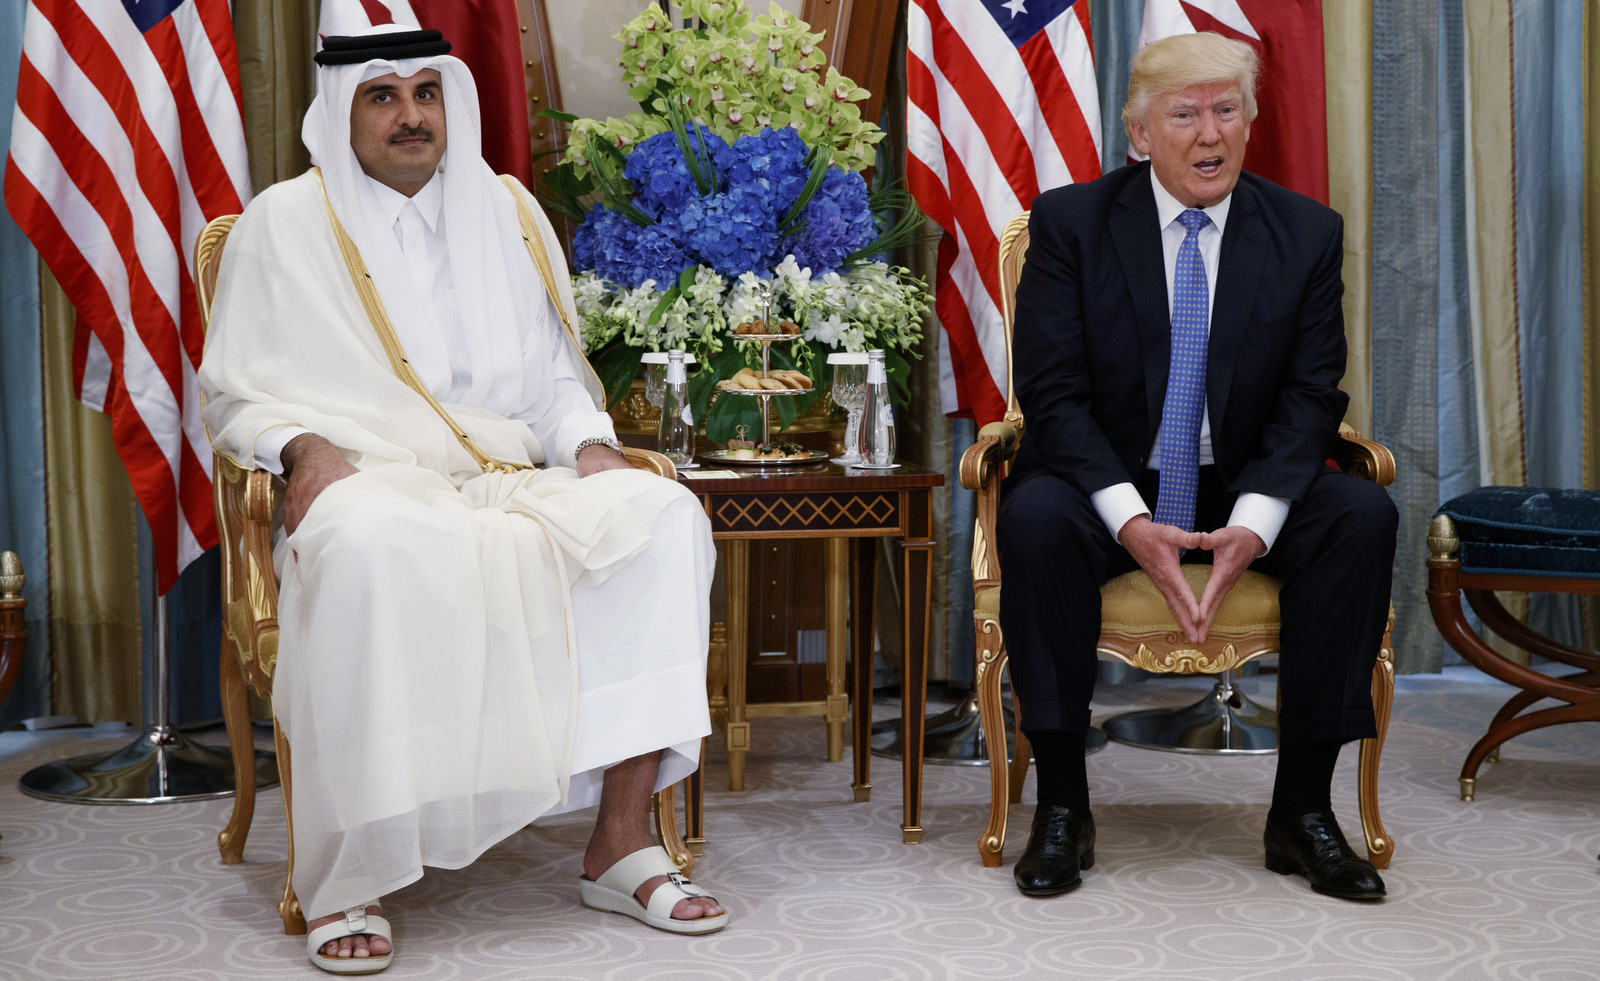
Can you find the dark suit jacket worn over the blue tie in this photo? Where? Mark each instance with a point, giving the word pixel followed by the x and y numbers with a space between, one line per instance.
pixel 1094 337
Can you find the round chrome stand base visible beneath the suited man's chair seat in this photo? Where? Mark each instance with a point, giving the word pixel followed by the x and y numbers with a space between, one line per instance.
pixel 1225 723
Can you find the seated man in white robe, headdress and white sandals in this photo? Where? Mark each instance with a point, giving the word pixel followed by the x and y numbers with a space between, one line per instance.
pixel 466 643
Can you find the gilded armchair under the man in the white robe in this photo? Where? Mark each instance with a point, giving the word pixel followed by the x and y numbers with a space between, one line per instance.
pixel 246 503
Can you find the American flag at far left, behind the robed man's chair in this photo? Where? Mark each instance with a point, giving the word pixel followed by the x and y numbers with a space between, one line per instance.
pixel 129 137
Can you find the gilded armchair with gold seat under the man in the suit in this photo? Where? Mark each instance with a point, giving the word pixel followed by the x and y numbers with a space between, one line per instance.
pixel 1135 625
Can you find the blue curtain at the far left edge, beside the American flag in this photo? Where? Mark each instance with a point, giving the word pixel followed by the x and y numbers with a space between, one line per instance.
pixel 22 418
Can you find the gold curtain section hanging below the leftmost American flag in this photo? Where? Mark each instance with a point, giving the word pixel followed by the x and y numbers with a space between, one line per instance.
pixel 94 540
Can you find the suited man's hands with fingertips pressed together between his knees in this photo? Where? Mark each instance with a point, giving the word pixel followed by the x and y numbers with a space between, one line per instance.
pixel 1156 548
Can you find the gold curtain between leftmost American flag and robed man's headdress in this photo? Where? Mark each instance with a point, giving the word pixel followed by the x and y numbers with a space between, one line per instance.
pixel 276 44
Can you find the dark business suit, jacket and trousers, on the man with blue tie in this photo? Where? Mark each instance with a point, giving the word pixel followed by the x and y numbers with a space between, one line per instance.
pixel 1092 351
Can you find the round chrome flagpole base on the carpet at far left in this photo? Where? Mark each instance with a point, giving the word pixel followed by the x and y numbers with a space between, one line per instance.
pixel 161 767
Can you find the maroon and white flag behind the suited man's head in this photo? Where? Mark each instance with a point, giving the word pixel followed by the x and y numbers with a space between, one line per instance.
pixel 1289 142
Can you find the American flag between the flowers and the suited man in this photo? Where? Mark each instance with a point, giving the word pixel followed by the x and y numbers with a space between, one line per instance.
pixel 1001 105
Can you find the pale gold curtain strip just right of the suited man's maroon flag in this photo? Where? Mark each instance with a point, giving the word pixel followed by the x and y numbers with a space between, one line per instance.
pixel 1348 63
